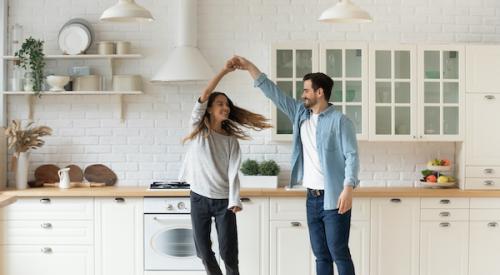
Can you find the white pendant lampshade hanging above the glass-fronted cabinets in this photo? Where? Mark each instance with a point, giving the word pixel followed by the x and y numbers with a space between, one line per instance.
pixel 345 12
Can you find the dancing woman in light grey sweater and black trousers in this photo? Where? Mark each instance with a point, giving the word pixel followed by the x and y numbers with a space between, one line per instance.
pixel 211 168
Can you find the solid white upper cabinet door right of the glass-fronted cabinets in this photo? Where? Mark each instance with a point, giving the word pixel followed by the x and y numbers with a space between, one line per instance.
pixel 483 62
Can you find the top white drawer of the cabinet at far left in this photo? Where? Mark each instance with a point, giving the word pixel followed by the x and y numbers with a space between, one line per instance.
pixel 49 209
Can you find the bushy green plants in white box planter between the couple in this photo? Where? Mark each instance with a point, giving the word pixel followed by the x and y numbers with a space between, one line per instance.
pixel 259 175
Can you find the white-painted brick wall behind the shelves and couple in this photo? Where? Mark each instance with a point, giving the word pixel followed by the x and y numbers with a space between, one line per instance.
pixel 147 146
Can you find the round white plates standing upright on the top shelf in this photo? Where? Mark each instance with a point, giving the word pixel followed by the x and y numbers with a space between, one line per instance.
pixel 76 36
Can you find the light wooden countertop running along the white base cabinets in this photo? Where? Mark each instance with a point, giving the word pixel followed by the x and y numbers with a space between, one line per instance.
pixel 124 191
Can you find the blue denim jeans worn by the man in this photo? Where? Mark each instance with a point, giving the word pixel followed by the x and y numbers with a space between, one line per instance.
pixel 329 235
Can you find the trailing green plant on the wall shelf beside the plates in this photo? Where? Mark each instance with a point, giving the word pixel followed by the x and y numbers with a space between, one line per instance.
pixel 31 59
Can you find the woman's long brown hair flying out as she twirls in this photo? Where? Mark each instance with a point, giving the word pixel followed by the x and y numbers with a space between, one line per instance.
pixel 232 126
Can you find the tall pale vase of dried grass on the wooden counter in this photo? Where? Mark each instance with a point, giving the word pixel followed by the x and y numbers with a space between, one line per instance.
pixel 22 141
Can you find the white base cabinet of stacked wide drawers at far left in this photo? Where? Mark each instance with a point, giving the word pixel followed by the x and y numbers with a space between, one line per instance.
pixel 52 236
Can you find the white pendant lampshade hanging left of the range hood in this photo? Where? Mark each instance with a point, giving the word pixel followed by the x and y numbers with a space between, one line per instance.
pixel 126 11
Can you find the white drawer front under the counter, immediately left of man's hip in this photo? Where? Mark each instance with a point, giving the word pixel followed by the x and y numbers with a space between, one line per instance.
pixel 288 209
